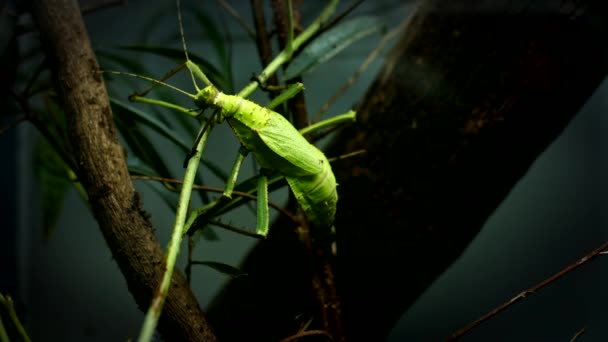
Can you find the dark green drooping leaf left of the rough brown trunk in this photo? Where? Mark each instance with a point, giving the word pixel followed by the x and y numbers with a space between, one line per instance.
pixel 53 180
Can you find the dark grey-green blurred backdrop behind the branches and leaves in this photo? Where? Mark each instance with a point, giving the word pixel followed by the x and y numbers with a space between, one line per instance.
pixel 69 288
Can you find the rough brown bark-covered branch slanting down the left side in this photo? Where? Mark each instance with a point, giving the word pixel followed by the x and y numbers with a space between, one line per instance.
pixel 102 169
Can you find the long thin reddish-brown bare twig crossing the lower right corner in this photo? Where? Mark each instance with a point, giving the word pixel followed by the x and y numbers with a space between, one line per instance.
pixel 460 333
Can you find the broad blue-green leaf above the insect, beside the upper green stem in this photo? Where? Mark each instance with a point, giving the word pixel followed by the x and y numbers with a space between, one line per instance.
pixel 332 42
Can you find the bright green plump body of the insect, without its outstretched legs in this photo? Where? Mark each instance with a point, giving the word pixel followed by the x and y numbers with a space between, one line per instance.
pixel 277 145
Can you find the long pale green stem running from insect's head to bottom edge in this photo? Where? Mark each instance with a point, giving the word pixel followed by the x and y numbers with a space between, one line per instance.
pixel 155 309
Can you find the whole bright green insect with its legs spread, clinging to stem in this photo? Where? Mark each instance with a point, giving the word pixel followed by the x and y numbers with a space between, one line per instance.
pixel 275 144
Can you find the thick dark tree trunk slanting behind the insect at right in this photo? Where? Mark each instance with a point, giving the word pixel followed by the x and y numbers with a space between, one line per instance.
pixel 473 92
